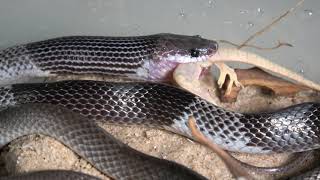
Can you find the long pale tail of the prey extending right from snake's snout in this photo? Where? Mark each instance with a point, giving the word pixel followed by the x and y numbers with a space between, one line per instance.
pixel 236 55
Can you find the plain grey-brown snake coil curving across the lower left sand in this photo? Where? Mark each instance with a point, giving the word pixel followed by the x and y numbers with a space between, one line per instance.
pixel 91 142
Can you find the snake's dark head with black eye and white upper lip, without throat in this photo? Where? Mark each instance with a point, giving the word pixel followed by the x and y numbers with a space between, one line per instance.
pixel 185 49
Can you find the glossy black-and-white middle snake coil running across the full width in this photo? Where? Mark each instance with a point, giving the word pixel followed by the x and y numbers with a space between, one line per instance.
pixel 293 129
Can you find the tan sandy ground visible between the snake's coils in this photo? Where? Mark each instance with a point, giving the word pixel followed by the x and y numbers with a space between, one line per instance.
pixel 38 152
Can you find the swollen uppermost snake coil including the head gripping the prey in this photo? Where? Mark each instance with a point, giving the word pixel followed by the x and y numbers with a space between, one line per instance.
pixel 151 57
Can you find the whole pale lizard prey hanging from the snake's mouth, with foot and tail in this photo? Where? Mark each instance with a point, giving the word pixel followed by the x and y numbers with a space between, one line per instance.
pixel 189 75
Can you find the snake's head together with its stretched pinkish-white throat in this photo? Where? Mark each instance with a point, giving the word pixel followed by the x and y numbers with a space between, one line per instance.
pixel 172 50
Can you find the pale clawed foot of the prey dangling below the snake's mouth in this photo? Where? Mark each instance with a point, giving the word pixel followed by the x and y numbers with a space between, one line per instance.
pixel 224 71
